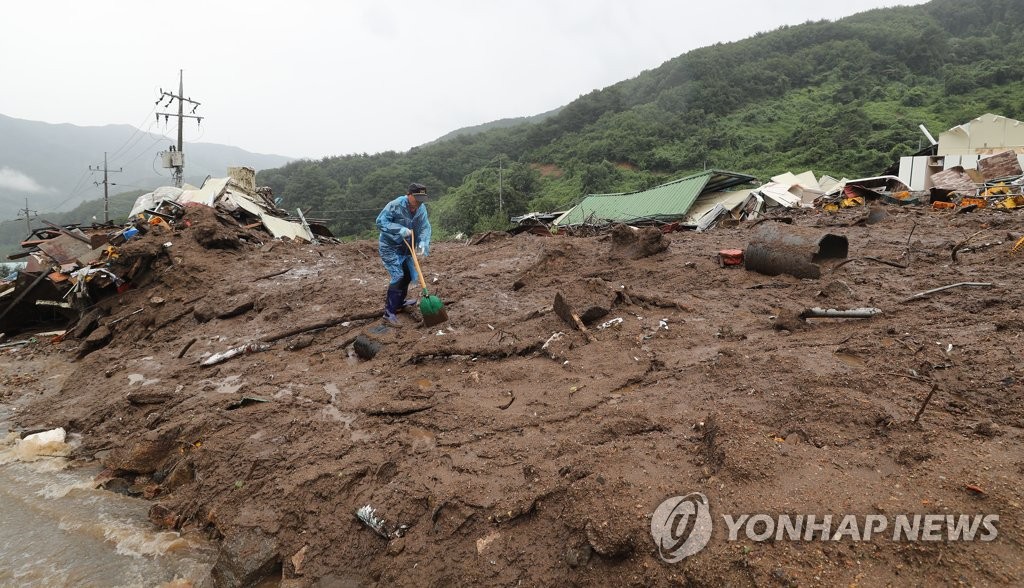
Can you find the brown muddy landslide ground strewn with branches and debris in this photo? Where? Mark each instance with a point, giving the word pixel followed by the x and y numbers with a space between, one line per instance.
pixel 519 464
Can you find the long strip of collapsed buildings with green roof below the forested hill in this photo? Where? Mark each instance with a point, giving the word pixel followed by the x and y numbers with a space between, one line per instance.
pixel 974 164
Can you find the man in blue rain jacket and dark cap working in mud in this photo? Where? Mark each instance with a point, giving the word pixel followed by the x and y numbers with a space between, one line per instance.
pixel 402 220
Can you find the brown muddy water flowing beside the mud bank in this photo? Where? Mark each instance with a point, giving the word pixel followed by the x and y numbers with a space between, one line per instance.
pixel 56 530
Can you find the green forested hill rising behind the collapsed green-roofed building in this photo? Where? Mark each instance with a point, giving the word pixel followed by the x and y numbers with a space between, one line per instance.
pixel 841 98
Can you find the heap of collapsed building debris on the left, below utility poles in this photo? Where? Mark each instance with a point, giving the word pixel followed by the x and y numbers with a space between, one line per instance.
pixel 69 269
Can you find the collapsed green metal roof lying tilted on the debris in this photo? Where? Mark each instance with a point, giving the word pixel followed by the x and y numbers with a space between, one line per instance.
pixel 668 202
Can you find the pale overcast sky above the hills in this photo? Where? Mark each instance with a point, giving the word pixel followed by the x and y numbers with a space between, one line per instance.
pixel 308 78
